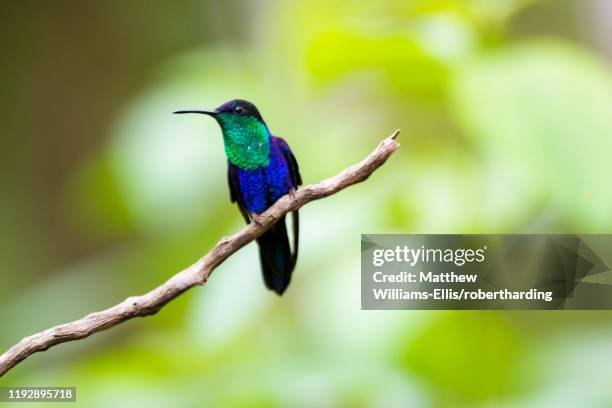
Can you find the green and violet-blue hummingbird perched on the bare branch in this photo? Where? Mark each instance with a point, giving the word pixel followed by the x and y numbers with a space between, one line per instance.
pixel 261 168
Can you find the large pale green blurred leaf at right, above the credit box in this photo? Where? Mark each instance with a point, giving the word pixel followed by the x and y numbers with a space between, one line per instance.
pixel 542 111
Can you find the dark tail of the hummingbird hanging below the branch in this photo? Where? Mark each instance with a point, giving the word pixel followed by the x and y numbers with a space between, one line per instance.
pixel 277 261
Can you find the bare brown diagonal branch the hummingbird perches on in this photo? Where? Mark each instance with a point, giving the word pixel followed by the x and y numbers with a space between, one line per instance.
pixel 198 273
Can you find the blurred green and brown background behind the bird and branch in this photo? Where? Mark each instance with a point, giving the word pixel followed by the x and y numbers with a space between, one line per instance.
pixel 505 108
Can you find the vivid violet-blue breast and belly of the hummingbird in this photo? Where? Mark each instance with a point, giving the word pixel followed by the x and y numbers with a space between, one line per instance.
pixel 261 187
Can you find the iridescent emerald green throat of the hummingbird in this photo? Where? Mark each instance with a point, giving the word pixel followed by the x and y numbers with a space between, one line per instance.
pixel 246 140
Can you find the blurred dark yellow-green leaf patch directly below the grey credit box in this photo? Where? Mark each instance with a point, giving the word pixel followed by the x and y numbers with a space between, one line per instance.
pixel 469 355
